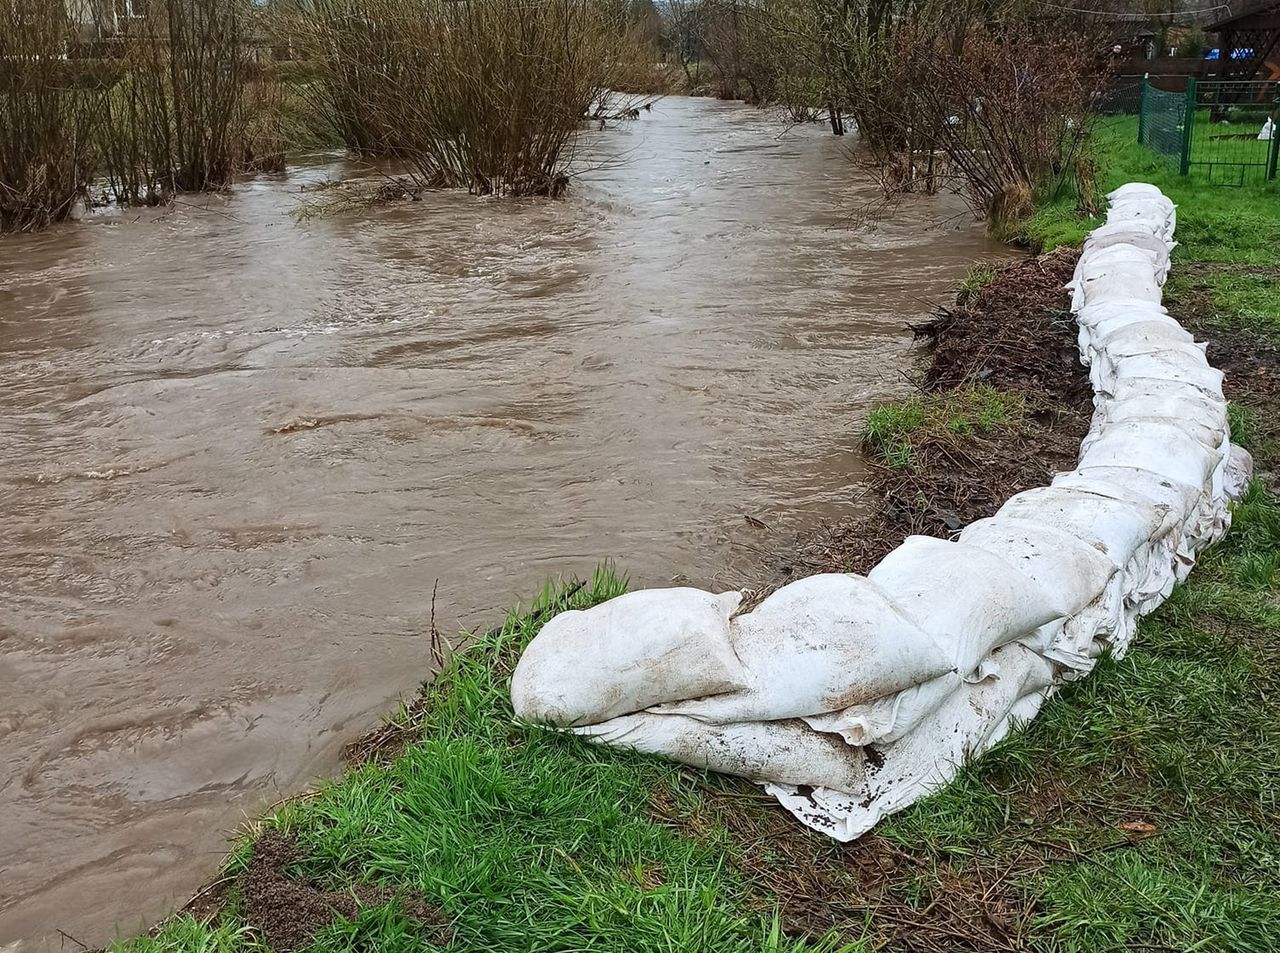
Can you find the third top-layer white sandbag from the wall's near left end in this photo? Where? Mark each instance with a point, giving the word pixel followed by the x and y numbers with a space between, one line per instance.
pixel 968 599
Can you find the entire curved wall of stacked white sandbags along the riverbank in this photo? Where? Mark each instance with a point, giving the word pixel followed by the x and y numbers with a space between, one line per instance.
pixel 849 698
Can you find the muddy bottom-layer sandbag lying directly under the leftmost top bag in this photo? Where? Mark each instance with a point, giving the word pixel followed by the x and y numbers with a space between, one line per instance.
pixel 788 753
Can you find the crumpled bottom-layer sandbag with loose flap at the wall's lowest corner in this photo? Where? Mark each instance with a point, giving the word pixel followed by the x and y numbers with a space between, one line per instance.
pixel 972 720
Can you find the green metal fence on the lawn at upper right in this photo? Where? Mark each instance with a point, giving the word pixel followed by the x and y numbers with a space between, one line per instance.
pixel 1212 132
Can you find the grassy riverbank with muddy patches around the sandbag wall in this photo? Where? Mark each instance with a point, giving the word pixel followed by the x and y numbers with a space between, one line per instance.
pixel 1139 812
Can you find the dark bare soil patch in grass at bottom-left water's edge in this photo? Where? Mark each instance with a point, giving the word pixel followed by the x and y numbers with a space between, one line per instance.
pixel 289 913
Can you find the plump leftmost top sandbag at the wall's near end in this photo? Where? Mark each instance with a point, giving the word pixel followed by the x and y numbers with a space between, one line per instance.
pixel 628 654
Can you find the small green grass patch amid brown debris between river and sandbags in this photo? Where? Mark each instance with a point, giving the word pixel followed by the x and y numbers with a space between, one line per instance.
pixel 894 432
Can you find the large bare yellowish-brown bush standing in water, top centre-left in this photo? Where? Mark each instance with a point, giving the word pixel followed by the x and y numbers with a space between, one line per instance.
pixel 484 95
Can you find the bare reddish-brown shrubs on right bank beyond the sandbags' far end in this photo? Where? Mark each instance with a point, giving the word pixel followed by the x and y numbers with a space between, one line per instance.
pixel 990 97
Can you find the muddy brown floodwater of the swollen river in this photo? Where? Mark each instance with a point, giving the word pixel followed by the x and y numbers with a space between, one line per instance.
pixel 237 452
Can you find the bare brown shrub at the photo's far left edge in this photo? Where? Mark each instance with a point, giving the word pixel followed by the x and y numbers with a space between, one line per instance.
pixel 48 116
